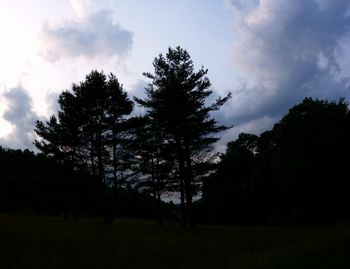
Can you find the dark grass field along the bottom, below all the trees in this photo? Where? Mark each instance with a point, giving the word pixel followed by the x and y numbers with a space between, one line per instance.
pixel 43 242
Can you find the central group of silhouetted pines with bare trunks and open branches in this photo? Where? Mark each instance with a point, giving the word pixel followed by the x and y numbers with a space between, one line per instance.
pixel 169 149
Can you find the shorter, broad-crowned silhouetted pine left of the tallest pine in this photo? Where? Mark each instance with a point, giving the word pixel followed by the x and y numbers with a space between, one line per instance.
pixel 89 132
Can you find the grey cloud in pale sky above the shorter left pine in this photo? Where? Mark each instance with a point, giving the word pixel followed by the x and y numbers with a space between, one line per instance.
pixel 93 34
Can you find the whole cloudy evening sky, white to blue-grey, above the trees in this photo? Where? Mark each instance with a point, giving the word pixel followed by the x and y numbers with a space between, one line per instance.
pixel 269 53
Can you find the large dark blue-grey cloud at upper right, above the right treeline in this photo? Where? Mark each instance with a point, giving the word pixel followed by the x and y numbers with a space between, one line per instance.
pixel 287 50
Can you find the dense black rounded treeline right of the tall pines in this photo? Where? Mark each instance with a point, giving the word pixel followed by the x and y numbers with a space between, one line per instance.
pixel 295 173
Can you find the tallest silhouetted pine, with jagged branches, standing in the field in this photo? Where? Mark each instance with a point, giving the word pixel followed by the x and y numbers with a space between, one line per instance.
pixel 176 104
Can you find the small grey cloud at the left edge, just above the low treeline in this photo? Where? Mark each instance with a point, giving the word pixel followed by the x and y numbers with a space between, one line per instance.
pixel 20 114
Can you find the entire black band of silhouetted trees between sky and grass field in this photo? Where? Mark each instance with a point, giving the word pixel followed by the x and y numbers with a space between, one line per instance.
pixel 98 158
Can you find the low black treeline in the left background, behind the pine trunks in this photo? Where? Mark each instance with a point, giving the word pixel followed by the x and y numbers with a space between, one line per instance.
pixel 34 184
